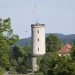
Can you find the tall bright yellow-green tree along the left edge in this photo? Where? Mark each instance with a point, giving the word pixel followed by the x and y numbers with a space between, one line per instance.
pixel 6 35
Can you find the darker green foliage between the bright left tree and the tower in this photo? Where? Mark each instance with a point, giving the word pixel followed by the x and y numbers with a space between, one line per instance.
pixel 20 58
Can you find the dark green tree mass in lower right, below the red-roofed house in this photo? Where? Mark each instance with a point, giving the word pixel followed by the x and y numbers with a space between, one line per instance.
pixel 52 64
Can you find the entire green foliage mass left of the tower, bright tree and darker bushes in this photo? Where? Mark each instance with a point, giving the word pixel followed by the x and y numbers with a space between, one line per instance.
pixel 12 57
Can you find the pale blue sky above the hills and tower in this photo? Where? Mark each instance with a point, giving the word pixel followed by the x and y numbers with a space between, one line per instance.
pixel 57 15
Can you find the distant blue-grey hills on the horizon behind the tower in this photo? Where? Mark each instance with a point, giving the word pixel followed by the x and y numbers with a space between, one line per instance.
pixel 62 37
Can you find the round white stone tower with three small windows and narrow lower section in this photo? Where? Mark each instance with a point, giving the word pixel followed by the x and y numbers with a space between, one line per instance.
pixel 38 43
